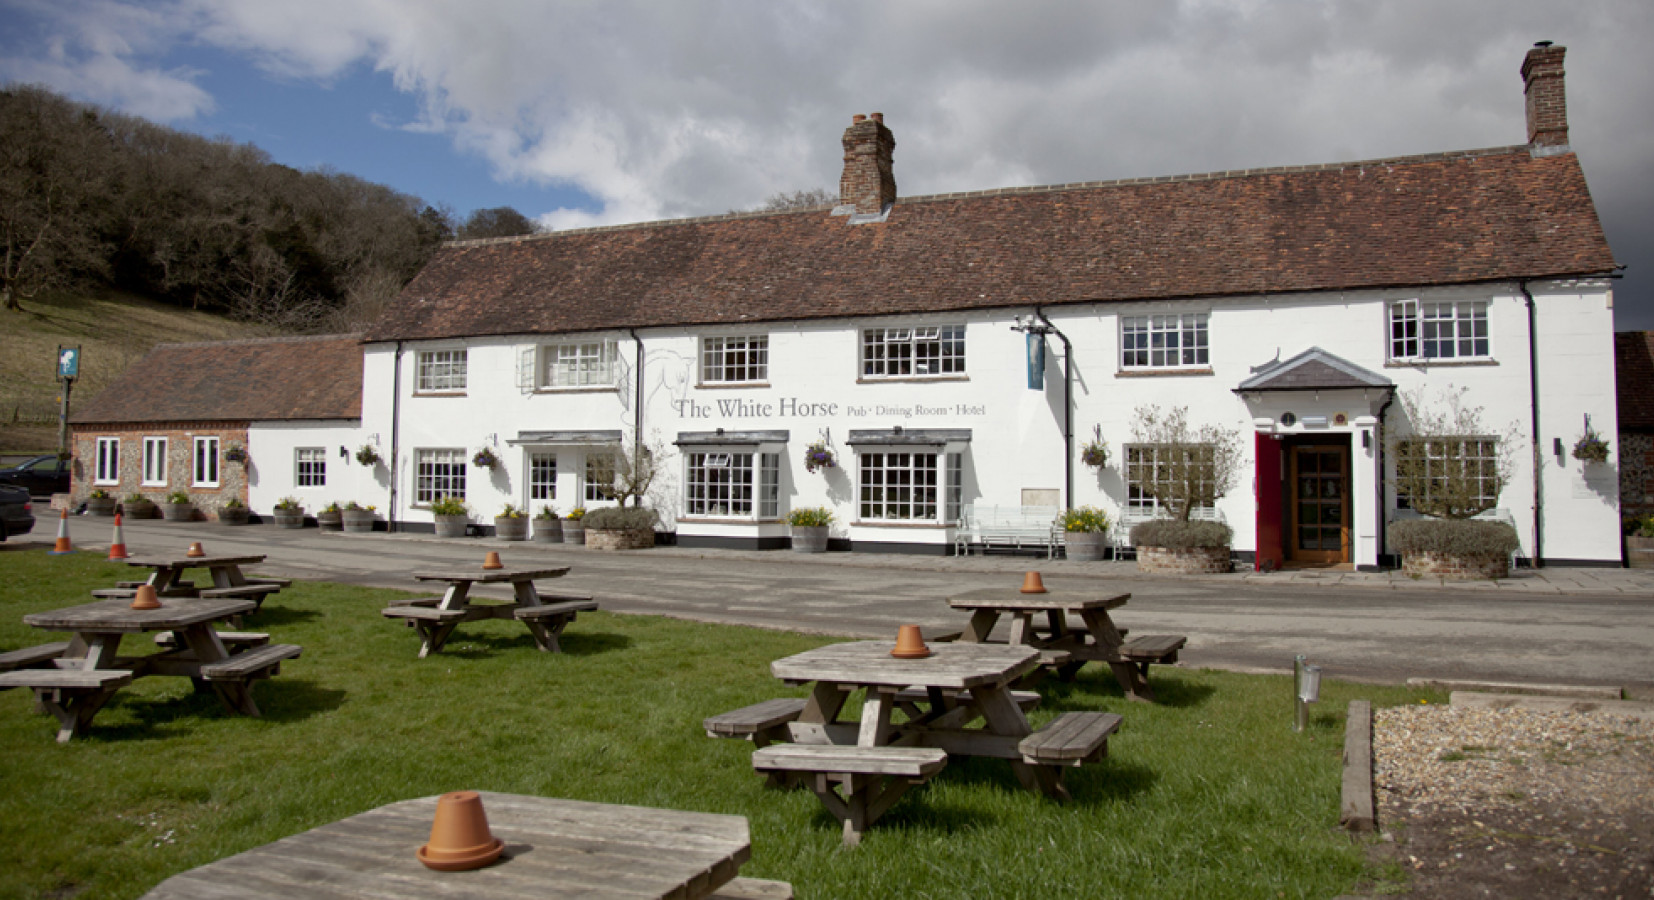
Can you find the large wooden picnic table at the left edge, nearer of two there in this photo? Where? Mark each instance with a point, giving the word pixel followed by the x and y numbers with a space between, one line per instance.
pixel 92 668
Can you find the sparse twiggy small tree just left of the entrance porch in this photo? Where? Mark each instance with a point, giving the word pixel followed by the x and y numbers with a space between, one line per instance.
pixel 1182 466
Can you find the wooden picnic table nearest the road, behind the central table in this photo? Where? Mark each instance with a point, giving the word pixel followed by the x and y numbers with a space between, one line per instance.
pixel 1066 648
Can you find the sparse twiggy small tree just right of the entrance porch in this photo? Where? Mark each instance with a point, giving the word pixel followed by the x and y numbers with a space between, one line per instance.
pixel 1450 464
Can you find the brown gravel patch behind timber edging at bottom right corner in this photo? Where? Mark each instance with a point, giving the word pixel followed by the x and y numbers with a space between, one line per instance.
pixel 1518 803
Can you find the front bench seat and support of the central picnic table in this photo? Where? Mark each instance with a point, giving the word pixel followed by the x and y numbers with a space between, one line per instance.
pixel 871 778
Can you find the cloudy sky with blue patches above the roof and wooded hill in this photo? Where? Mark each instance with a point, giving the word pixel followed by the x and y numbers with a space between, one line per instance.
pixel 605 112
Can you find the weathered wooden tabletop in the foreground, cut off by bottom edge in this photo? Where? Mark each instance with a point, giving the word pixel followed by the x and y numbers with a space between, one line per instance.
pixel 553 848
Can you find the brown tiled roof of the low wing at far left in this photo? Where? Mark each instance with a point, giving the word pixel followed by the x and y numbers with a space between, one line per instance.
pixel 237 381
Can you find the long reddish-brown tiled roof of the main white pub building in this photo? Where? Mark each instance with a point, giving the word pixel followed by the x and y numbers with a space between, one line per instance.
pixel 1443 219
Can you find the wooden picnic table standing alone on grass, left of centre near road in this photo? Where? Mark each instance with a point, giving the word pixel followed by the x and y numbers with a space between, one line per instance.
pixel 439 618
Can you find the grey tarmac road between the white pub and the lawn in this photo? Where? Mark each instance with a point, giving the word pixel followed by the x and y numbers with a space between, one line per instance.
pixel 1594 628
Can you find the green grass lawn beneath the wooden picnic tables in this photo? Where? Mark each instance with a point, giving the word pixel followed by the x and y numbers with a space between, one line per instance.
pixel 1207 795
